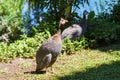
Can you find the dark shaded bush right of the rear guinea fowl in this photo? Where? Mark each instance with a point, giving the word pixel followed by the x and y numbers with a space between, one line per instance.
pixel 102 31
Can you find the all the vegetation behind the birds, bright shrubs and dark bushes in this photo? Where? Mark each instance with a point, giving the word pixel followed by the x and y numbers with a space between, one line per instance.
pixel 22 37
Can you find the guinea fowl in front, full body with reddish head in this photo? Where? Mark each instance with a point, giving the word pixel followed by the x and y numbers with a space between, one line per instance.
pixel 49 50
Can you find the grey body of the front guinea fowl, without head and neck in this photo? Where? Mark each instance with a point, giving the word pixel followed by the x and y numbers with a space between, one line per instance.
pixel 48 49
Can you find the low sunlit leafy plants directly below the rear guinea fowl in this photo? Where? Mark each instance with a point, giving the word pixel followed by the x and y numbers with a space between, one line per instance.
pixel 70 47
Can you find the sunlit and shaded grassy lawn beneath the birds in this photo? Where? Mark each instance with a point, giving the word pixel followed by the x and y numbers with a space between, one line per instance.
pixel 98 64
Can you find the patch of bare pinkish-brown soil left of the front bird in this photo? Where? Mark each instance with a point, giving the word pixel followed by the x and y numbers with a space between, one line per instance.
pixel 16 68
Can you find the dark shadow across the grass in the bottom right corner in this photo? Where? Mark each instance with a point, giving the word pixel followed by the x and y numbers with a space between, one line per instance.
pixel 103 72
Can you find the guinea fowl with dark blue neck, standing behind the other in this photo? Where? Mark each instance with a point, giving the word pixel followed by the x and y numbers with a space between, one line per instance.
pixel 75 31
